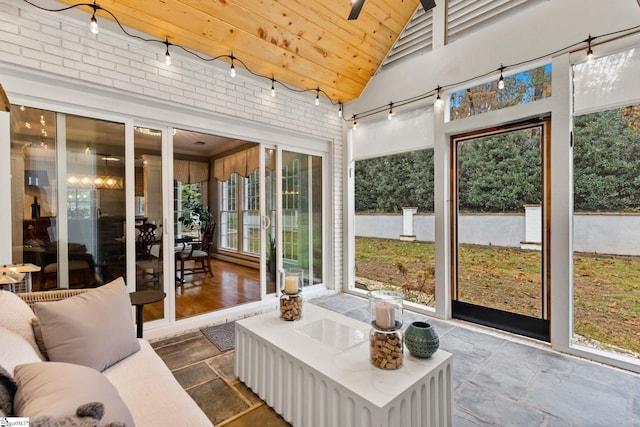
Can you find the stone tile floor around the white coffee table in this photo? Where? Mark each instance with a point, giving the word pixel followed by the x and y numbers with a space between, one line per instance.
pixel 498 380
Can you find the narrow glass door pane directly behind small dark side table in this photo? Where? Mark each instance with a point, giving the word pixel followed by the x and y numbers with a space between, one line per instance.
pixel 149 215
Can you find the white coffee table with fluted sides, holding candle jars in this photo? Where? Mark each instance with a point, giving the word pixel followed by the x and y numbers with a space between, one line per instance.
pixel 316 372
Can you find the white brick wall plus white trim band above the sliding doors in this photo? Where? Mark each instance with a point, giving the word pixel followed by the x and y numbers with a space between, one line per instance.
pixel 51 60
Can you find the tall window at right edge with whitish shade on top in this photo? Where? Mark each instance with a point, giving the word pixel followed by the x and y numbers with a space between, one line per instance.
pixel 606 203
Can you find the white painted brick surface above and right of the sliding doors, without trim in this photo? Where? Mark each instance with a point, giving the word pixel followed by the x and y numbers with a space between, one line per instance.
pixel 61 44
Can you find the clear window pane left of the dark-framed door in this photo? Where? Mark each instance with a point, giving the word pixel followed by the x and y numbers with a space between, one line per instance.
pixel 388 254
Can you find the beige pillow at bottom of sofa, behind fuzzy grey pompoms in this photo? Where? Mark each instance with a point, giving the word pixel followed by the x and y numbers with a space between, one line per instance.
pixel 57 389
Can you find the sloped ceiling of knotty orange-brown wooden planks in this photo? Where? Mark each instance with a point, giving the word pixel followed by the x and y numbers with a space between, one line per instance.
pixel 304 43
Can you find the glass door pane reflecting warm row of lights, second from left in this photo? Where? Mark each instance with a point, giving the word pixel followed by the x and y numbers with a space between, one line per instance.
pixel 96 201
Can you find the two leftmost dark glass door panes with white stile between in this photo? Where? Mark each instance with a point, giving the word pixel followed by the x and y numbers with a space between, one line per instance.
pixel 68 197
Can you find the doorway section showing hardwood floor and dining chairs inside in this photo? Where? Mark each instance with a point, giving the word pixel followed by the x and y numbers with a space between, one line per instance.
pixel 216 182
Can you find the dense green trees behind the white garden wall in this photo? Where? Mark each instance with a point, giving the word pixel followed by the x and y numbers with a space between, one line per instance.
pixel 502 173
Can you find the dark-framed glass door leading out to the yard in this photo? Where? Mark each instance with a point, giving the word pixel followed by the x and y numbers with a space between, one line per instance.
pixel 499 274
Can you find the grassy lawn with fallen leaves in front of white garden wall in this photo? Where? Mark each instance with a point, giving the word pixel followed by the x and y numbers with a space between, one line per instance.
pixel 606 289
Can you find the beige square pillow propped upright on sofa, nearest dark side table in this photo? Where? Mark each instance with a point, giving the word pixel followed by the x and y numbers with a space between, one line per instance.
pixel 94 329
